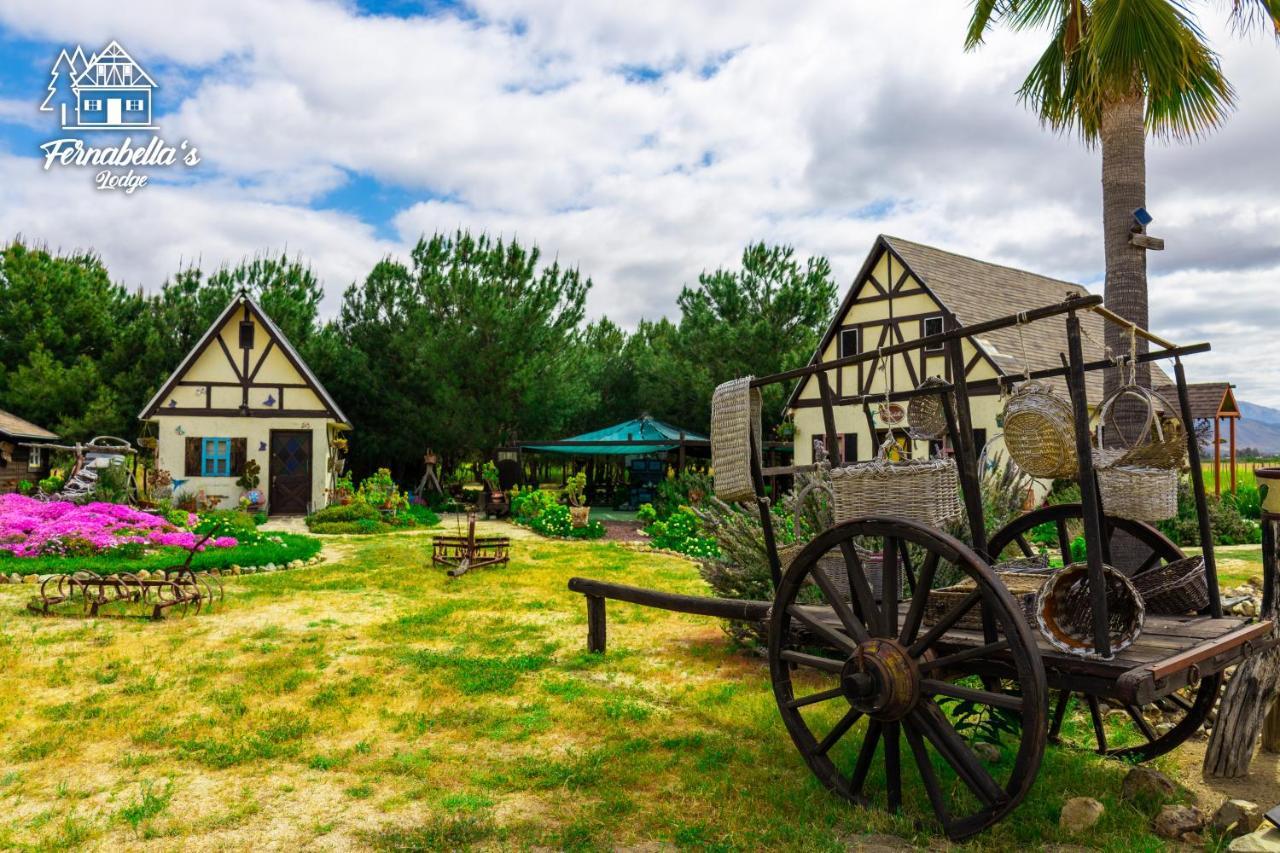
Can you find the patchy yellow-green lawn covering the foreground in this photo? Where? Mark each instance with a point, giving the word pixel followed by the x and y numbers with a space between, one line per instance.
pixel 372 703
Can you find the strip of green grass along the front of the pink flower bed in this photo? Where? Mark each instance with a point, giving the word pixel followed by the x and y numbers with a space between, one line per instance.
pixel 290 548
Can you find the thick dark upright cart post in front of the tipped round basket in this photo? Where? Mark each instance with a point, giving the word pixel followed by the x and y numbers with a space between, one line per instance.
pixel 1094 533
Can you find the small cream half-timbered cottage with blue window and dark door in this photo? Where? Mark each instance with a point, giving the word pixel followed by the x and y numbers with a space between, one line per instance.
pixel 245 395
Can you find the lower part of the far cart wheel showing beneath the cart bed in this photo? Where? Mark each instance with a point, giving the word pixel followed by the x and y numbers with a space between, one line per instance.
pixel 1131 736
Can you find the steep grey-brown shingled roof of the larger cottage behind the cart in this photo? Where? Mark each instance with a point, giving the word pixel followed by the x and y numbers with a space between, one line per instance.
pixel 977 291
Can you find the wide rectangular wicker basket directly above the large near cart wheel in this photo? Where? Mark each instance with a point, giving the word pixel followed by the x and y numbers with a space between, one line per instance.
pixel 924 491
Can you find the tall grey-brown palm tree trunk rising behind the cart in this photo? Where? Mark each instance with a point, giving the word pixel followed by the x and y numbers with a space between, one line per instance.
pixel 1124 190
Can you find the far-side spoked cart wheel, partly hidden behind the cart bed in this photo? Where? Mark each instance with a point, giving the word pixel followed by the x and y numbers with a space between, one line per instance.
pixel 1133 733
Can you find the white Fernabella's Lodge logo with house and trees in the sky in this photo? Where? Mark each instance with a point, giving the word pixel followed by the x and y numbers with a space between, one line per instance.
pixel 108 92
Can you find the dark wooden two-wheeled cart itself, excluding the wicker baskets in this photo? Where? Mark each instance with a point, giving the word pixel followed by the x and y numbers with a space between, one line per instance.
pixel 857 677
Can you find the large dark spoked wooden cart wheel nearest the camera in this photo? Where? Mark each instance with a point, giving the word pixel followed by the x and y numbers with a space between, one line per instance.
pixel 838 658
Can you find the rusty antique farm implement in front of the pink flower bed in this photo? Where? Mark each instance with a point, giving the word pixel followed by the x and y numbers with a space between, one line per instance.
pixel 177 590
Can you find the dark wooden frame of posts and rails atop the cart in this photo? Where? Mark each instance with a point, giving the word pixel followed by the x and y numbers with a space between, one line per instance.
pixel 961 431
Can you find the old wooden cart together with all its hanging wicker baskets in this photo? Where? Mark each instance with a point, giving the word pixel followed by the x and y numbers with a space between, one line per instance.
pixel 886 630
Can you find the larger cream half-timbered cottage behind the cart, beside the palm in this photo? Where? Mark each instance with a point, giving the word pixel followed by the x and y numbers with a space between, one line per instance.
pixel 906 291
